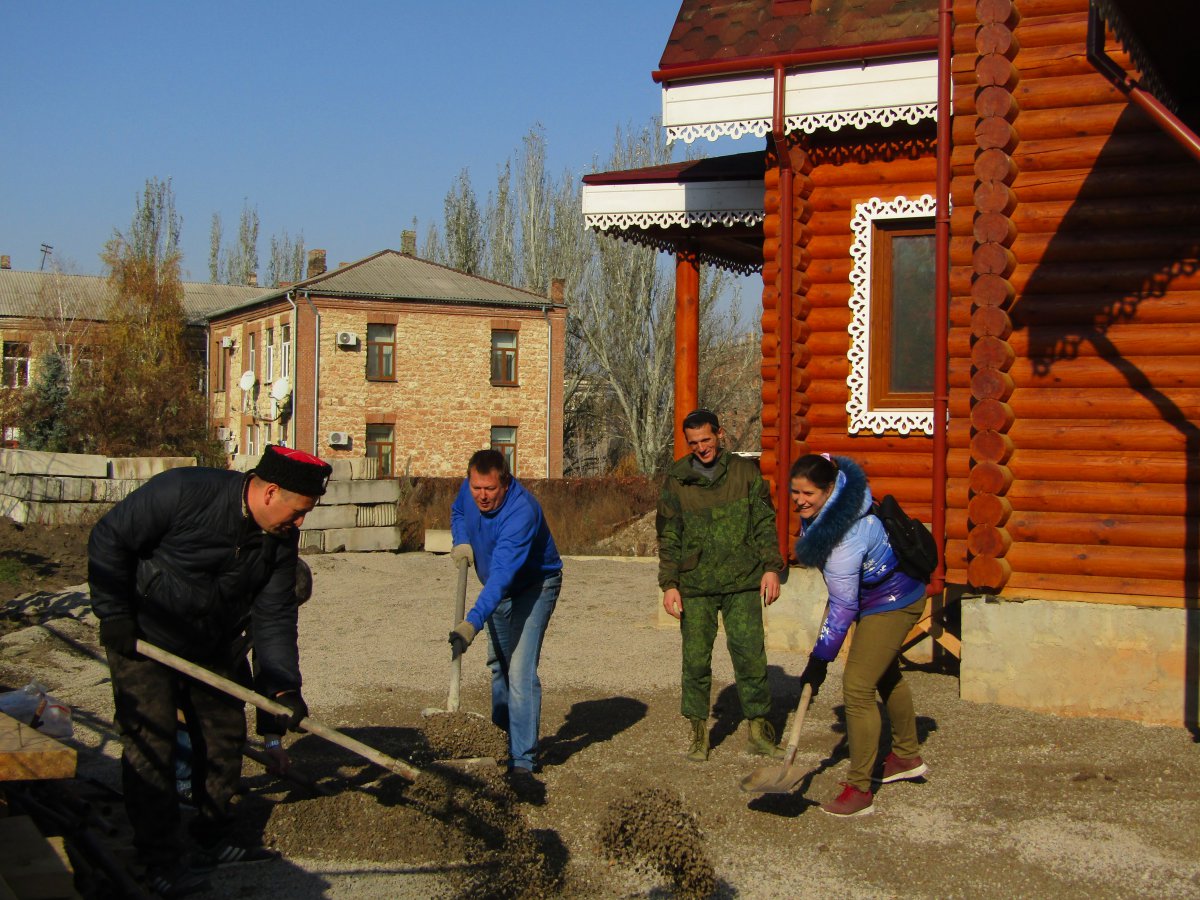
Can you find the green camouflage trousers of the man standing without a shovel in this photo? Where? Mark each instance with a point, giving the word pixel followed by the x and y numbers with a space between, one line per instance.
pixel 742 616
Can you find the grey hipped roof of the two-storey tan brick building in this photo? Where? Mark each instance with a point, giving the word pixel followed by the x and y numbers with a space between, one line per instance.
pixel 391 275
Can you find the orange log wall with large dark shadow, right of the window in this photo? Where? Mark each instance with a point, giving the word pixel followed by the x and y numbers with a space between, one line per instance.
pixel 1075 322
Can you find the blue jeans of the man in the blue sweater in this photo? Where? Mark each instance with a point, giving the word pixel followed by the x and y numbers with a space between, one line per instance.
pixel 515 632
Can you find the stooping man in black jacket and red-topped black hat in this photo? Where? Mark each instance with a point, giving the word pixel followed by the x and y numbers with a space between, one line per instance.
pixel 190 562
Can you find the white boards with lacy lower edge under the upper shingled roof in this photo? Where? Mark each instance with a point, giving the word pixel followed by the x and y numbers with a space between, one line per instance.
pixel 877 93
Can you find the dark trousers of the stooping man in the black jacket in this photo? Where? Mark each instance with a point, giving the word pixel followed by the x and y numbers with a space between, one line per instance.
pixel 148 697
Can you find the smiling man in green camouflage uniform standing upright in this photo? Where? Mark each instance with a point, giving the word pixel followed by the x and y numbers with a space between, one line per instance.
pixel 718 555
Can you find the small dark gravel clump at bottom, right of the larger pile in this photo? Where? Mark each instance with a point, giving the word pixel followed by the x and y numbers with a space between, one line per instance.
pixel 651 830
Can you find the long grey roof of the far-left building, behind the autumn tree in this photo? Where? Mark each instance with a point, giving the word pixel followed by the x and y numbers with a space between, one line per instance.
pixel 52 295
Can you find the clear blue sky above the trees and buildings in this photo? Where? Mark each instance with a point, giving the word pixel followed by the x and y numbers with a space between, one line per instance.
pixel 339 121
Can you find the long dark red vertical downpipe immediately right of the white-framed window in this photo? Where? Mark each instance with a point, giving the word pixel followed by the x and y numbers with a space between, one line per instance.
pixel 943 287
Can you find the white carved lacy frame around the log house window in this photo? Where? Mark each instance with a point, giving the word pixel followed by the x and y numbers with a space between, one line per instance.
pixel 862 417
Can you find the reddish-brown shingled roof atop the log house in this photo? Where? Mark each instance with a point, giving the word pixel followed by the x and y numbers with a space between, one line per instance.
pixel 715 31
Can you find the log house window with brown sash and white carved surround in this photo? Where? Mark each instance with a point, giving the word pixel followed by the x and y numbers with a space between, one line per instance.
pixel 892 328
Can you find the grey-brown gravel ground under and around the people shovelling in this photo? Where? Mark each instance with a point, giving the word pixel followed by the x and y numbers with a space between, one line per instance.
pixel 1016 805
